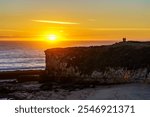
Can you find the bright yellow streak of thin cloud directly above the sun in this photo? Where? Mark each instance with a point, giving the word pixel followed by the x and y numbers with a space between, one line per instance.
pixel 56 22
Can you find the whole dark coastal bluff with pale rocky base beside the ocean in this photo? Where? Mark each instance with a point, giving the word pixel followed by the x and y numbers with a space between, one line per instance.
pixel 117 63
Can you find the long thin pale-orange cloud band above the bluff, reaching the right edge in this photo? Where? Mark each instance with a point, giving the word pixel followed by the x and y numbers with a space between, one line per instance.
pixel 121 29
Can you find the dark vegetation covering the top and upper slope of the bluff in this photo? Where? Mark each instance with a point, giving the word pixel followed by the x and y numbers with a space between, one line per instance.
pixel 129 55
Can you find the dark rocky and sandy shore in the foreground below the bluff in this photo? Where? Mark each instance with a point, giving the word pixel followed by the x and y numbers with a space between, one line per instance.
pixel 28 86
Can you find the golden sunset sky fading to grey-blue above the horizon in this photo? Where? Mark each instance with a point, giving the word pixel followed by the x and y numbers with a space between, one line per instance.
pixel 75 19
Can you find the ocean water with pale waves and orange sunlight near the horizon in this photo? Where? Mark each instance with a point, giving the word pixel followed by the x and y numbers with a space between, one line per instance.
pixel 29 55
